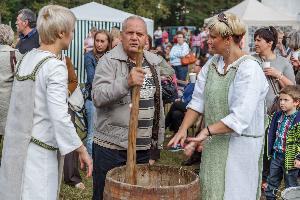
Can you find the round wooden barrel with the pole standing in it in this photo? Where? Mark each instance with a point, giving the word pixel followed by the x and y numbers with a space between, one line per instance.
pixel 157 182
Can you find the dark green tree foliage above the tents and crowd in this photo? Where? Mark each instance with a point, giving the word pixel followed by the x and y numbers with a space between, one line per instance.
pixel 163 12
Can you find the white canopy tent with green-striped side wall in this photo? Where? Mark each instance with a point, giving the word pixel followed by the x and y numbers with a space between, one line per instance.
pixel 101 17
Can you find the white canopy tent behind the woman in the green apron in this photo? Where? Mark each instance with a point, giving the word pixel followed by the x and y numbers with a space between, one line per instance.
pixel 256 15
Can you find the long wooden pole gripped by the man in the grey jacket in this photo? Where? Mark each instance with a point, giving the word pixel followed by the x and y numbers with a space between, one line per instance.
pixel 131 171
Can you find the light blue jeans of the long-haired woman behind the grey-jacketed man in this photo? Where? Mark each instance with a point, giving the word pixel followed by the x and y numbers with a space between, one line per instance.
pixel 90 112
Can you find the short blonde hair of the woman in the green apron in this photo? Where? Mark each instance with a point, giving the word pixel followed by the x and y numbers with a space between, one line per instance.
pixel 232 26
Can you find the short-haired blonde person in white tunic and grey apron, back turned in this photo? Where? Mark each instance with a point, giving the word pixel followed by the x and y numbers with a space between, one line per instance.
pixel 38 123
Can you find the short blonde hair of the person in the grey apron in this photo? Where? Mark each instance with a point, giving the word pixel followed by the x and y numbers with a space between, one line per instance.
pixel 53 20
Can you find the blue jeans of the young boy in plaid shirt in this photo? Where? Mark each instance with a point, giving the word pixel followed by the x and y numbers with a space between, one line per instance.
pixel 277 172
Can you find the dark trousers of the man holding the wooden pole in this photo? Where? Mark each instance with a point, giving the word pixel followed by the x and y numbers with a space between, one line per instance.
pixel 105 159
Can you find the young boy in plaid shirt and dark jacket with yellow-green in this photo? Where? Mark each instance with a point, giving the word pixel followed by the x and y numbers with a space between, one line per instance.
pixel 284 142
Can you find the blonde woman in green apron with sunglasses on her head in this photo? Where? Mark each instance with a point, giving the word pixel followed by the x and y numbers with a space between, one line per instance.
pixel 229 92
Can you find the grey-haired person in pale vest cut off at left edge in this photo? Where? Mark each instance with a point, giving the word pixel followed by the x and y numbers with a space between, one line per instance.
pixel 8 56
